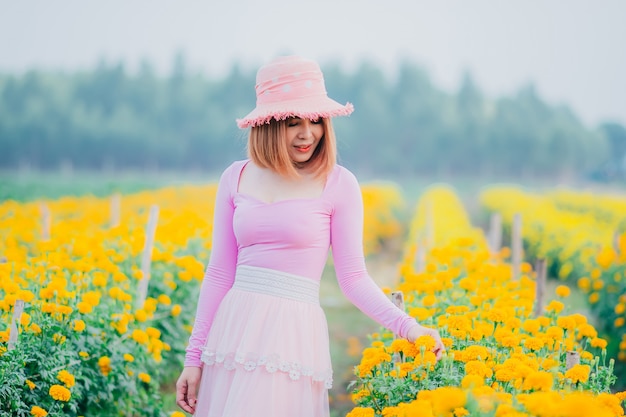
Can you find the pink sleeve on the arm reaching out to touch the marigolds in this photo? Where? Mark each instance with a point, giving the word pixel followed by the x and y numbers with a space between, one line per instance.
pixel 347 249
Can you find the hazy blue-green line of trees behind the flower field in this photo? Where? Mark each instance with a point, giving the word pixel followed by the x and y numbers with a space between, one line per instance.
pixel 108 118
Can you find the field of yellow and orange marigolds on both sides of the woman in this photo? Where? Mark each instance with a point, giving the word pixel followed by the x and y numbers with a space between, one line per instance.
pixel 88 344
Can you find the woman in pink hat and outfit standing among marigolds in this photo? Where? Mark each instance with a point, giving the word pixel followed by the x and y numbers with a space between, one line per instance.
pixel 260 340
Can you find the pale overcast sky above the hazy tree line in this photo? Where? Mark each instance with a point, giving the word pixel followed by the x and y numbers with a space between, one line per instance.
pixel 573 50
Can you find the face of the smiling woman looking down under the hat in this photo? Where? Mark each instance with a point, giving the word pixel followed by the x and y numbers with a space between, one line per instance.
pixel 303 136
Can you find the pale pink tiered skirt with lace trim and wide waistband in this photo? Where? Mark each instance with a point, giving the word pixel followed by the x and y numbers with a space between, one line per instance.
pixel 267 353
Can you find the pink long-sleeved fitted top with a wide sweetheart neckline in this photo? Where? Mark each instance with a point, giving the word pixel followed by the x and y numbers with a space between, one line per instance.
pixel 292 236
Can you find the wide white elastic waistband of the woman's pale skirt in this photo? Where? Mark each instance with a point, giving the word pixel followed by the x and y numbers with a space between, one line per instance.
pixel 277 283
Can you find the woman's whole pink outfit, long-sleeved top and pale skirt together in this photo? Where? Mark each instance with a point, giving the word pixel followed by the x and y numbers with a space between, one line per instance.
pixel 260 334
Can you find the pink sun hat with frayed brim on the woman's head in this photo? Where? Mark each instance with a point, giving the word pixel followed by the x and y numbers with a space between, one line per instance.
pixel 291 86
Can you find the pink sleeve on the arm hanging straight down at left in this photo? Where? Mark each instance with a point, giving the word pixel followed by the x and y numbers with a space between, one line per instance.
pixel 220 271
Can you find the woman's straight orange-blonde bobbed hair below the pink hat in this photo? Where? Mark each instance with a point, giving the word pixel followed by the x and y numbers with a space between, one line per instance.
pixel 268 149
